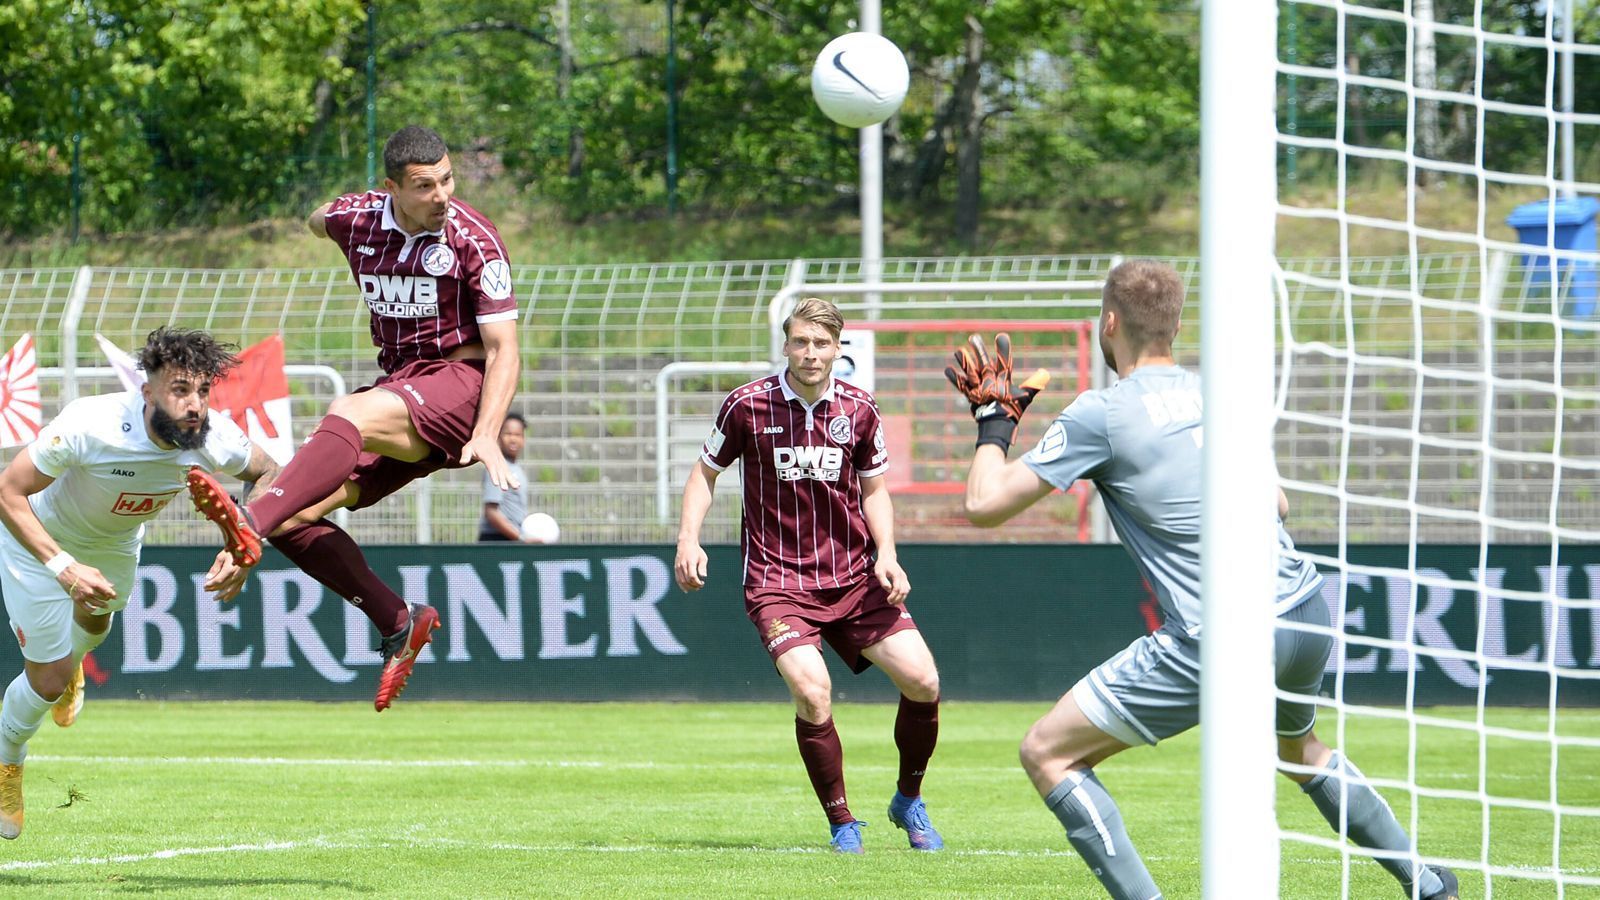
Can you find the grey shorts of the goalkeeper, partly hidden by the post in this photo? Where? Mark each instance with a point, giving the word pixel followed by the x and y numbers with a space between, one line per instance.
pixel 1151 691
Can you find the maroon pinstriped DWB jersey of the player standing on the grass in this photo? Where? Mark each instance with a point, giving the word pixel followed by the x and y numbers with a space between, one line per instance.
pixel 802 468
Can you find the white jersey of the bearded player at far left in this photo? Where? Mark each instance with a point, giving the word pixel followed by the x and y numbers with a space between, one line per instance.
pixel 111 478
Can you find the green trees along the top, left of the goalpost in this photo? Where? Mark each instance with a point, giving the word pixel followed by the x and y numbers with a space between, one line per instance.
pixel 209 111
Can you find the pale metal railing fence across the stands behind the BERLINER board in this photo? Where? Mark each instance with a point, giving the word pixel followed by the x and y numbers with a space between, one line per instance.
pixel 596 339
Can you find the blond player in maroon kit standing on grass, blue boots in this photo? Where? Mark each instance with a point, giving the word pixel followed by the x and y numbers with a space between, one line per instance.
pixel 820 565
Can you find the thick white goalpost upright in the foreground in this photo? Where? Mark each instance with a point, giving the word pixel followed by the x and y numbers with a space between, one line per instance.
pixel 1239 537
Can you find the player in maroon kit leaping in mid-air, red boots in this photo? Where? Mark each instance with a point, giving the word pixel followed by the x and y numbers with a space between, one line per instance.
pixel 436 278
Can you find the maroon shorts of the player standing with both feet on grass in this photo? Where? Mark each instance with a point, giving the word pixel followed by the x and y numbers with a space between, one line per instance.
pixel 849 619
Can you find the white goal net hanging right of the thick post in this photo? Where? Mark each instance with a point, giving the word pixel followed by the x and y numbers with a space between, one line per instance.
pixel 1442 428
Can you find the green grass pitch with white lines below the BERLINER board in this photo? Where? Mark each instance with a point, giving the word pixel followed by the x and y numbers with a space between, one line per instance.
pixel 690 800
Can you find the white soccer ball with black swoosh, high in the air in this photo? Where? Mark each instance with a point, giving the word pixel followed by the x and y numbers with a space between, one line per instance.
pixel 860 79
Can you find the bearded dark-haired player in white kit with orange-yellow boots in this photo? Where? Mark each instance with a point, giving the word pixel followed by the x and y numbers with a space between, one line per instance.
pixel 74 507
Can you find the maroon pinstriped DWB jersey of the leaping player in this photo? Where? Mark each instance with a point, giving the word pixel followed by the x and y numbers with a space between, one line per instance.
pixel 428 292
